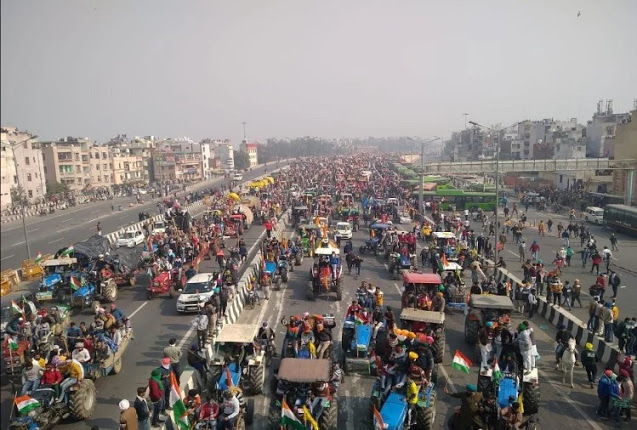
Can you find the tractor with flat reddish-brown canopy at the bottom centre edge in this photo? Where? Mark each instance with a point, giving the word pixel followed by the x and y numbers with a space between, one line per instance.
pixel 293 385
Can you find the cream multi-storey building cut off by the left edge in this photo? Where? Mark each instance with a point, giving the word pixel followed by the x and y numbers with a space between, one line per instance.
pixel 28 155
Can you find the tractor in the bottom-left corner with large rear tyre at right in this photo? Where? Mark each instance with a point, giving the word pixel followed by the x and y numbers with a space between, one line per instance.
pixel 78 404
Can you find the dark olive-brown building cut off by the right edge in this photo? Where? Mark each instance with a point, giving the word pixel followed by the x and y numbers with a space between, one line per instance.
pixel 626 149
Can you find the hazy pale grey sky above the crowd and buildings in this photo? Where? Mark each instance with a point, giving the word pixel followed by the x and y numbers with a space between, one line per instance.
pixel 294 68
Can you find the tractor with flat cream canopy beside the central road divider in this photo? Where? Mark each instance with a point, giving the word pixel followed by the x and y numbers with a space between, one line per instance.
pixel 235 363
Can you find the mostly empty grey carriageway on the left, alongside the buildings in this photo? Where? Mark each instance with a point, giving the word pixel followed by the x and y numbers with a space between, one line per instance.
pixel 65 227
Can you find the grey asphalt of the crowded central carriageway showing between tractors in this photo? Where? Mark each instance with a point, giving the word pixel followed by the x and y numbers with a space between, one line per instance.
pixel 560 405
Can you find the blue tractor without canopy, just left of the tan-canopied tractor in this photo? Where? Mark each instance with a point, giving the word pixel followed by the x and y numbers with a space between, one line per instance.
pixel 357 347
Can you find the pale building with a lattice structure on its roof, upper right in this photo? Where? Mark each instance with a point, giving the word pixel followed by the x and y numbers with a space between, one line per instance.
pixel 600 131
